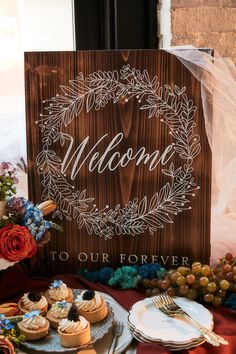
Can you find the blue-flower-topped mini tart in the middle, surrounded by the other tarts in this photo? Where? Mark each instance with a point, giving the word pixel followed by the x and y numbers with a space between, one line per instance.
pixel 58 311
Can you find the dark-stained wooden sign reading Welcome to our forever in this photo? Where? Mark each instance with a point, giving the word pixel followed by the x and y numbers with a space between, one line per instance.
pixel 117 140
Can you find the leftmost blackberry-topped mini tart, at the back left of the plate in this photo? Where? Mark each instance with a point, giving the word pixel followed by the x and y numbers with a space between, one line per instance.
pixel 33 301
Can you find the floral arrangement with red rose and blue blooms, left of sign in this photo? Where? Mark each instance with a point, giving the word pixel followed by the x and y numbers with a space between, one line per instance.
pixel 23 226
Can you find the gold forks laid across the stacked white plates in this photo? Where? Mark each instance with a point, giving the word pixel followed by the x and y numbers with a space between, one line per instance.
pixel 167 305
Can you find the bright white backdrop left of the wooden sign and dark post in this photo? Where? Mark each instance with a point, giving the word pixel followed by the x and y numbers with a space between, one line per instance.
pixel 26 25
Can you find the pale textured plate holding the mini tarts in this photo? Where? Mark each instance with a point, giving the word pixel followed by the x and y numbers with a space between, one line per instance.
pixel 51 344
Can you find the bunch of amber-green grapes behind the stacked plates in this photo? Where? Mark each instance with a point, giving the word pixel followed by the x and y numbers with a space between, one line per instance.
pixel 198 282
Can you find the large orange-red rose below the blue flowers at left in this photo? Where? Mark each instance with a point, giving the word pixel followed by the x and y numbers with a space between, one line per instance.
pixel 16 243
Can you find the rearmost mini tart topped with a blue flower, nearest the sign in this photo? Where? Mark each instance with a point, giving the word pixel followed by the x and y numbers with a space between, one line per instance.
pixel 58 291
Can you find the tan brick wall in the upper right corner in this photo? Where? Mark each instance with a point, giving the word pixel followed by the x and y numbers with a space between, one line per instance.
pixel 205 23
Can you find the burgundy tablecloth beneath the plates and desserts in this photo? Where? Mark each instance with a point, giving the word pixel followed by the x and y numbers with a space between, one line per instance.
pixel 15 281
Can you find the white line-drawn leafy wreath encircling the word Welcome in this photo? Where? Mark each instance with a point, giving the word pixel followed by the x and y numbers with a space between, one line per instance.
pixel 170 104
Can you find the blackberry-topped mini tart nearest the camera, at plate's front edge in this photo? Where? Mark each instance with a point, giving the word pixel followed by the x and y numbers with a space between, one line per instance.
pixel 74 331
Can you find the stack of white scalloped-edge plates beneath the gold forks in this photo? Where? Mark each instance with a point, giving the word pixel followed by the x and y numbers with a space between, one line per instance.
pixel 148 324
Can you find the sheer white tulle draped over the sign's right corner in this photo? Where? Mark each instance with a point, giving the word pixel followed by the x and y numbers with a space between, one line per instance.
pixel 218 90
